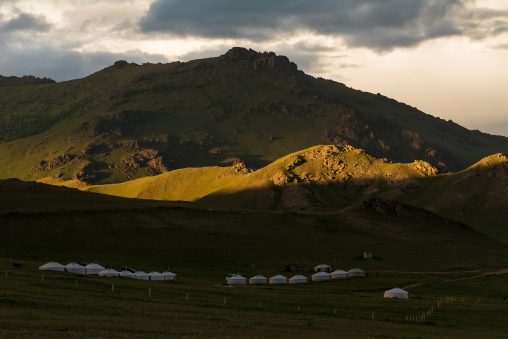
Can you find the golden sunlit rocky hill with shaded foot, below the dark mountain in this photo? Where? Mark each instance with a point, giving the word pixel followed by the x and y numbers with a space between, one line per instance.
pixel 321 176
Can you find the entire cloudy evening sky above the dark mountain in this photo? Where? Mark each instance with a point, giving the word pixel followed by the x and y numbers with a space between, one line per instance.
pixel 449 58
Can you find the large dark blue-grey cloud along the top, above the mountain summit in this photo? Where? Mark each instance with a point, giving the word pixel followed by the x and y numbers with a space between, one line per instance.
pixel 375 24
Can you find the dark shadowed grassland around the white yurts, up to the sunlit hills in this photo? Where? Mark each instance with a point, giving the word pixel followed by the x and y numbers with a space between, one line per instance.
pixel 202 246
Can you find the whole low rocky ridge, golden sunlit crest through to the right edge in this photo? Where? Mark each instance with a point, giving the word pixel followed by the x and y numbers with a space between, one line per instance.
pixel 330 177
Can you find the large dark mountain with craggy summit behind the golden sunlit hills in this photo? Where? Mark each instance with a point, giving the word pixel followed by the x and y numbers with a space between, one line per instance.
pixel 128 121
